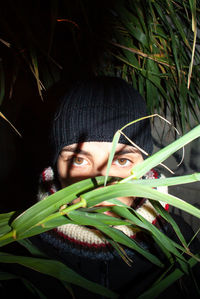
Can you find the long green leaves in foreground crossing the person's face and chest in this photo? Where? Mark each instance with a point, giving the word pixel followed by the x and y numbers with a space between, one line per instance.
pixel 49 213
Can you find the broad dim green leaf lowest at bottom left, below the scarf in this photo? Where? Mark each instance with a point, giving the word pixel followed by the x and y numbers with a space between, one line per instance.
pixel 58 270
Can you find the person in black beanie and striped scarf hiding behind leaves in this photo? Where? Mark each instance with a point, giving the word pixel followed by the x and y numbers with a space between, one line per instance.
pixel 82 131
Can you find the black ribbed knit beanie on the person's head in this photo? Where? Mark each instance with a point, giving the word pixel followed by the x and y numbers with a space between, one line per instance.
pixel 94 109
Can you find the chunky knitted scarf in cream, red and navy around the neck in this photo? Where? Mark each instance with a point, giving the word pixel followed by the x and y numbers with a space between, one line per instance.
pixel 83 240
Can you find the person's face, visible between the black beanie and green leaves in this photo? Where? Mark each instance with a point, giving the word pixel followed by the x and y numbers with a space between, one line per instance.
pixel 89 159
